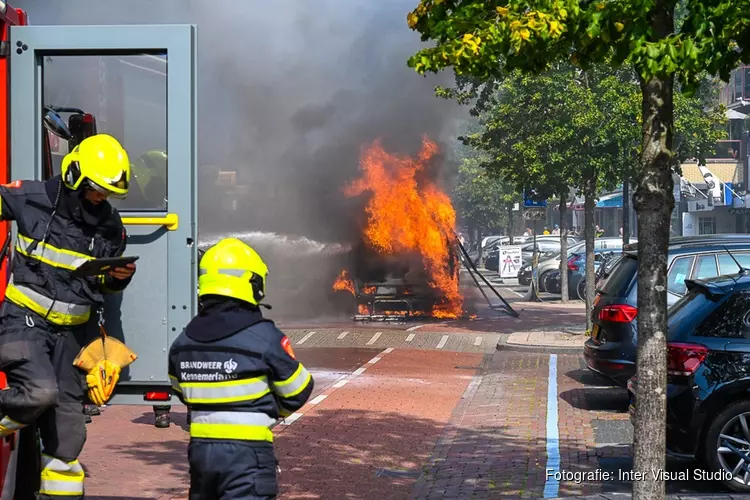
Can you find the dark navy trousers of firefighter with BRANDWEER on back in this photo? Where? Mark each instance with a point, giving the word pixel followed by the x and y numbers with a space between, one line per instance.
pixel 231 470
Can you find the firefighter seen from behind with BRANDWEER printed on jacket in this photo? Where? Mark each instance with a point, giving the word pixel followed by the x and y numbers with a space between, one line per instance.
pixel 237 374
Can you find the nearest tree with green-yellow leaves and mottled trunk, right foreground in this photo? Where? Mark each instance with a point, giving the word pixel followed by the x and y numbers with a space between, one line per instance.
pixel 485 39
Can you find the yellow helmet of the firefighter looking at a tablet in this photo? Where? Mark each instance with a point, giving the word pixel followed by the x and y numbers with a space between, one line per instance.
pixel 99 162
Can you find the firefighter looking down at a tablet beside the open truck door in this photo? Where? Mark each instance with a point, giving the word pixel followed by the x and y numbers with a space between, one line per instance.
pixel 62 222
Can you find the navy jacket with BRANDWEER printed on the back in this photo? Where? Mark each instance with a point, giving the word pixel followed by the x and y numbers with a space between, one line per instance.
pixel 236 372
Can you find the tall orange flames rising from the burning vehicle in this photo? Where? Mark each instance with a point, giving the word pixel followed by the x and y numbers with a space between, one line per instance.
pixel 405 215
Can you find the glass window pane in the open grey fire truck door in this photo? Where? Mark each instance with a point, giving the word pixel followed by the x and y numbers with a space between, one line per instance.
pixel 127 95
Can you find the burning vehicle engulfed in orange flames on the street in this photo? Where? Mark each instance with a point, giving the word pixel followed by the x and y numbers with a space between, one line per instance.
pixel 406 263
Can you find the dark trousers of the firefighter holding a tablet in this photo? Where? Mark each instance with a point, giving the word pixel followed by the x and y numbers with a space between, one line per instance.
pixel 46 390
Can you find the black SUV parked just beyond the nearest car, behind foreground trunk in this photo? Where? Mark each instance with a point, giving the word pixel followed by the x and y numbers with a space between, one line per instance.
pixel 611 350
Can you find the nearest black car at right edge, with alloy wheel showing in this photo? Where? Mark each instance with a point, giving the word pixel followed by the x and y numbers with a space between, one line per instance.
pixel 708 378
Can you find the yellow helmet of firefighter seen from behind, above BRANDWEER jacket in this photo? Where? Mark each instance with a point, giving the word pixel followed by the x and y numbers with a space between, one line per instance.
pixel 233 269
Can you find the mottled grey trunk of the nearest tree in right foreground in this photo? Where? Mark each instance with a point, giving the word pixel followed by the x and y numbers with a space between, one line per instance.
pixel 653 204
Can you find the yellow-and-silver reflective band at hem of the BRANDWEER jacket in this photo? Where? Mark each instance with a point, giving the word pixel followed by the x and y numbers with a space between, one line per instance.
pixel 231 425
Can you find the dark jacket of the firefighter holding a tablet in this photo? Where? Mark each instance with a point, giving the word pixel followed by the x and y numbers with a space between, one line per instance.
pixel 57 232
